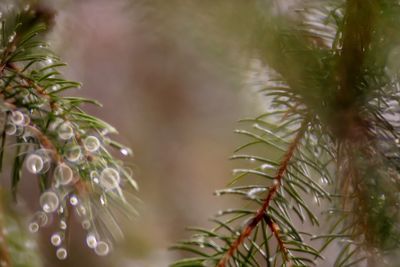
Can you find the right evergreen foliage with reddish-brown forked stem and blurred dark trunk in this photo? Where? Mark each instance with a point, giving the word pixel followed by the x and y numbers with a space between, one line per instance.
pixel 332 124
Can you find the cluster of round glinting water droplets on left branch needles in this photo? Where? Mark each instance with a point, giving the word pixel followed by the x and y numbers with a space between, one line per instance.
pixel 65 174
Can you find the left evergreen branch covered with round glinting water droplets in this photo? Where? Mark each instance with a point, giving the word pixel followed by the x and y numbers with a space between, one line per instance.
pixel 48 134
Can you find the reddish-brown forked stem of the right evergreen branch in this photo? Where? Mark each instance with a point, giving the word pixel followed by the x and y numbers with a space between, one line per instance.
pixel 260 214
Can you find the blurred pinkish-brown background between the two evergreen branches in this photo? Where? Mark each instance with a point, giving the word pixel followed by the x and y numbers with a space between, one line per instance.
pixel 172 85
